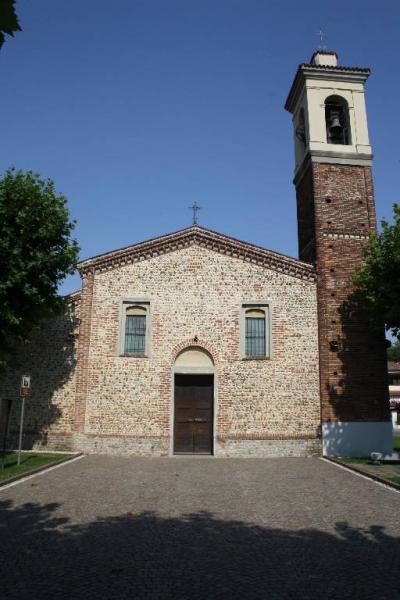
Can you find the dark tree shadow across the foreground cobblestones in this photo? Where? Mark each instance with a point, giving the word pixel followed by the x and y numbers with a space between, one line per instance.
pixel 196 556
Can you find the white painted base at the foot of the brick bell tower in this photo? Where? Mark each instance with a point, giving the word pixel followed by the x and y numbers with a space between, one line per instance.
pixel 354 438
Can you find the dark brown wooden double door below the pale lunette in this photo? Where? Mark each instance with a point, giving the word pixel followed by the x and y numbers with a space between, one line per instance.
pixel 193 418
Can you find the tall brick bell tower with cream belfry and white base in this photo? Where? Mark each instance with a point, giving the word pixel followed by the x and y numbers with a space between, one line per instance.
pixel 336 213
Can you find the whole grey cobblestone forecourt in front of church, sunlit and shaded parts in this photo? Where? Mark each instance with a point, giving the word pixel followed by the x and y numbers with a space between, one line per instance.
pixel 119 528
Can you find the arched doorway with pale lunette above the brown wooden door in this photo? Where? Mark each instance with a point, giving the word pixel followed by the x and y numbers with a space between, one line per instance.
pixel 193 402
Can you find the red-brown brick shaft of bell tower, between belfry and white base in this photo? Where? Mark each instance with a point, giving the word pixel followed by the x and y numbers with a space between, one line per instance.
pixel 338 200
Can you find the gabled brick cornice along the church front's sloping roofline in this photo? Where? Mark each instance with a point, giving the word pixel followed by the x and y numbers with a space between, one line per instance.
pixel 200 236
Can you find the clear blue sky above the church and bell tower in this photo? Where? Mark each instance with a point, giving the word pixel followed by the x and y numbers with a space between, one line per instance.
pixel 138 108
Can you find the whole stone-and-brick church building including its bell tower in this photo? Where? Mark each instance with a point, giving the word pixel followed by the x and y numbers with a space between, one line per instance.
pixel 197 343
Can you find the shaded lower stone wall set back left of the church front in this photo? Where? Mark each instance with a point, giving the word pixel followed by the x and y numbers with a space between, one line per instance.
pixel 50 360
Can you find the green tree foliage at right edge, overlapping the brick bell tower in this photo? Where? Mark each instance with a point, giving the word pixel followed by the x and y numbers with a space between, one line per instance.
pixel 379 280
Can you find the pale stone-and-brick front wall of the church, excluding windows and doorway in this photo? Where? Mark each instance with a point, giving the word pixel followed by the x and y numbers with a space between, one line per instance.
pixel 262 407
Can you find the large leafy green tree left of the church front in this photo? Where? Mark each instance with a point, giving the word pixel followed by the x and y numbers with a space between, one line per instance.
pixel 36 253
